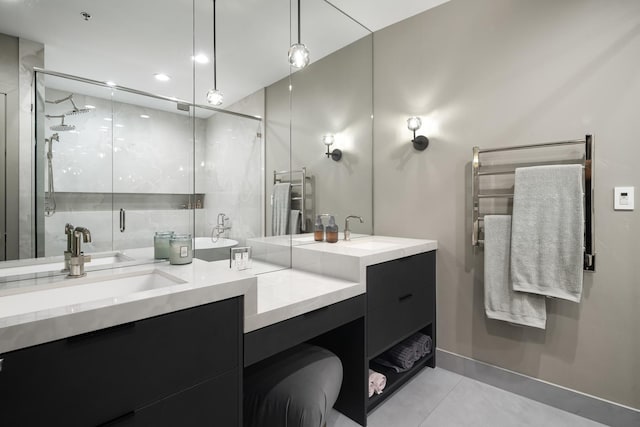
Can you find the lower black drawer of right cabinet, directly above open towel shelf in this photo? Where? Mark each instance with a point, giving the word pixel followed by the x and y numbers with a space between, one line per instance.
pixel 389 324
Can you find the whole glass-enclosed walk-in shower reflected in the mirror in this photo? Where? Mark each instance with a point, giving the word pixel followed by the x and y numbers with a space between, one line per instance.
pixel 126 164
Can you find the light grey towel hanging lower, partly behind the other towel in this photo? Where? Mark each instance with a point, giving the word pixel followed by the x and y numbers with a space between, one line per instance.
pixel 500 301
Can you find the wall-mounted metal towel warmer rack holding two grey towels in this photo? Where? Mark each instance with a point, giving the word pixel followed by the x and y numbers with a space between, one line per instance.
pixel 587 162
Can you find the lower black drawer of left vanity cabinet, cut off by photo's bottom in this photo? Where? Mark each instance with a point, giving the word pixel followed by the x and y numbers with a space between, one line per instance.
pixel 215 402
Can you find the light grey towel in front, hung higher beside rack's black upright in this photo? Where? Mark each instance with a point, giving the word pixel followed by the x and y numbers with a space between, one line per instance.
pixel 548 231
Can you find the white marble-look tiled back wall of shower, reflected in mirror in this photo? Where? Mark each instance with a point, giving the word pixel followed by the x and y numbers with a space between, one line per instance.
pixel 115 150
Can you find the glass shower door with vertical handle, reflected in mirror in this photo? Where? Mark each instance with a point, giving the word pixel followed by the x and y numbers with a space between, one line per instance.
pixel 153 180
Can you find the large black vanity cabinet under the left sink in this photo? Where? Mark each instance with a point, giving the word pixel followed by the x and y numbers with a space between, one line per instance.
pixel 182 368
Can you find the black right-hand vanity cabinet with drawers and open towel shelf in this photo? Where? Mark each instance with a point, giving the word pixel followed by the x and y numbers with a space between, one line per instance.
pixel 401 300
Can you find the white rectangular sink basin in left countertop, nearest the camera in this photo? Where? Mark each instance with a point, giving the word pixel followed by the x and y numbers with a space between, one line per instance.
pixel 77 291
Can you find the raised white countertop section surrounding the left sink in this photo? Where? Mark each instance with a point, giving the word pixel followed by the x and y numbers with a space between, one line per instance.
pixel 203 283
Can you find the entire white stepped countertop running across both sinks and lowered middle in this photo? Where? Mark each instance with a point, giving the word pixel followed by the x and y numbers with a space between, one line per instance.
pixel 322 274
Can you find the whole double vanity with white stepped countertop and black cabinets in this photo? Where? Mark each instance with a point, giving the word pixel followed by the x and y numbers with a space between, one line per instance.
pixel 159 344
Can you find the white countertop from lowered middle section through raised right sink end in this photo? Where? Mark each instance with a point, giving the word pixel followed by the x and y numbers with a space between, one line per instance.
pixel 324 274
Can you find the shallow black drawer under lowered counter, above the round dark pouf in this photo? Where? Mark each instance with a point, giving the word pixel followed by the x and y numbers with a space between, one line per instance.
pixel 265 342
